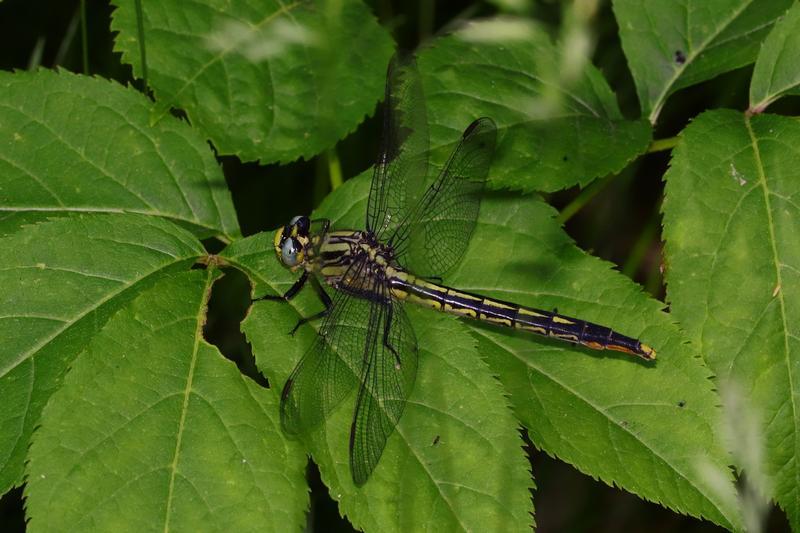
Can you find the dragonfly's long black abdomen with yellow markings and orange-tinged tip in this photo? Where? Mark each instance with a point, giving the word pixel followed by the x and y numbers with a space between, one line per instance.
pixel 507 314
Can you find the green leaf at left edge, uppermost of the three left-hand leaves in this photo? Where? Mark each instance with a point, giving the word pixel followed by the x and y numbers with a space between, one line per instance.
pixel 80 144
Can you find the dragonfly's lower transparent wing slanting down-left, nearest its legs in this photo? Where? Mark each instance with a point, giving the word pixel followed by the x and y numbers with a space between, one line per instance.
pixel 331 367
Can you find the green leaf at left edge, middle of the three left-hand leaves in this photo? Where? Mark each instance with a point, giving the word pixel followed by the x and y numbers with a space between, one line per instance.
pixel 62 279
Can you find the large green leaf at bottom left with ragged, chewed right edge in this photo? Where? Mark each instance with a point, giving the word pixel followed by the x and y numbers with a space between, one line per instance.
pixel 154 429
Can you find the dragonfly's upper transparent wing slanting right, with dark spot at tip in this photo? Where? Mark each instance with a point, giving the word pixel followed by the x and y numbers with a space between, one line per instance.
pixel 437 230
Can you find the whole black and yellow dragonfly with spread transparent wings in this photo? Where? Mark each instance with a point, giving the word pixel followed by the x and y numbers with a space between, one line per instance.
pixel 413 235
